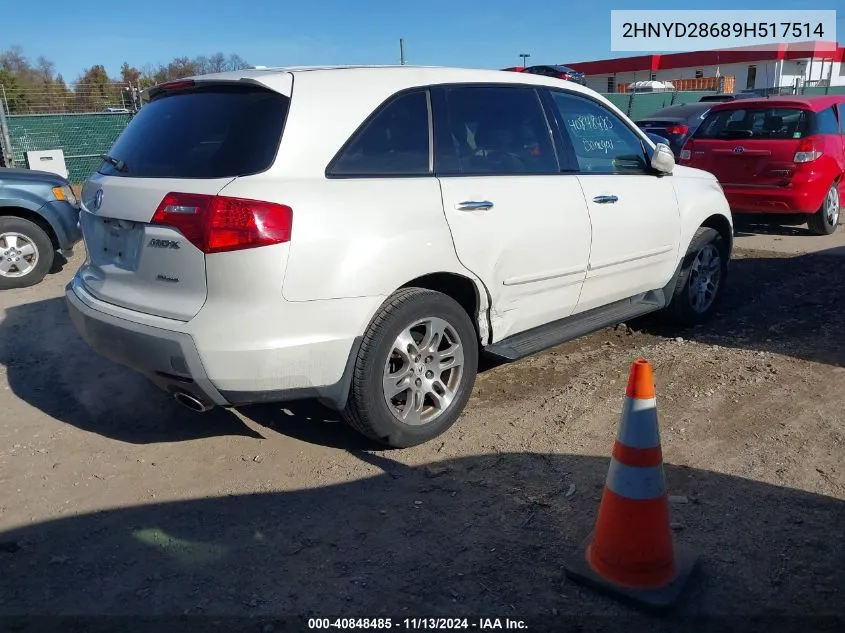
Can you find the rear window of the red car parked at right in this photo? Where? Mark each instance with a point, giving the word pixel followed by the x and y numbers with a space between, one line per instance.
pixel 756 123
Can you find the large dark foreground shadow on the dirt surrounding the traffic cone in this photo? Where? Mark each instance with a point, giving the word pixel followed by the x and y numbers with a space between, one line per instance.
pixel 482 536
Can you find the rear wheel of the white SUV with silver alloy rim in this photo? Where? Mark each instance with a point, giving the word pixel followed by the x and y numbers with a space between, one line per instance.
pixel 415 369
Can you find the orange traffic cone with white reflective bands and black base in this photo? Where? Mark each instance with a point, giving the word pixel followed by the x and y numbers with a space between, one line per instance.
pixel 631 553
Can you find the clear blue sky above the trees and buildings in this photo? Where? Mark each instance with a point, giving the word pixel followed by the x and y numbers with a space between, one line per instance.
pixel 488 34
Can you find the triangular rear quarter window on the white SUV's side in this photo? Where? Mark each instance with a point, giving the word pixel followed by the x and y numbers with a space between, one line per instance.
pixel 395 142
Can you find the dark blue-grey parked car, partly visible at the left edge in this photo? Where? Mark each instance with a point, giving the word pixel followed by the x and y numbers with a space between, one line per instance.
pixel 39 215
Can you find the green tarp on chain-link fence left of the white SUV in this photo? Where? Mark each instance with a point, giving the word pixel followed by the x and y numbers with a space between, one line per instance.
pixel 82 138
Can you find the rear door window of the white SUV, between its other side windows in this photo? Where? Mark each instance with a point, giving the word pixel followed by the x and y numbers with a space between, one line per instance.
pixel 495 130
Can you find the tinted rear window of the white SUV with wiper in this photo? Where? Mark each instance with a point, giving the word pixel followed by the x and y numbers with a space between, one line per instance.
pixel 210 132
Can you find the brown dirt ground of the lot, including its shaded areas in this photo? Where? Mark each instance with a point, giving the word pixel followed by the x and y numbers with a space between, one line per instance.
pixel 115 502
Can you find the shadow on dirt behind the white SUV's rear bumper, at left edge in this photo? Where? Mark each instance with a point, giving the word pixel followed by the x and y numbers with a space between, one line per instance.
pixel 50 367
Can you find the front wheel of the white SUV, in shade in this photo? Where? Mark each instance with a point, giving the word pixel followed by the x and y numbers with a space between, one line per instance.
pixel 701 280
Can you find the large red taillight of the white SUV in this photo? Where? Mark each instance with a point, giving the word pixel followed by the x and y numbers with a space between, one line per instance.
pixel 215 224
